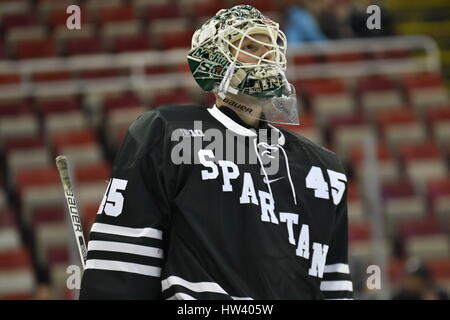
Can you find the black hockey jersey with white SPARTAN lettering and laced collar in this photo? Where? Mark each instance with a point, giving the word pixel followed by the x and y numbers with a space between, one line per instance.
pixel 187 216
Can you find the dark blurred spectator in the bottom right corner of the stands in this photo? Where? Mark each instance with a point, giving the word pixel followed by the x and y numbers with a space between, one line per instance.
pixel 418 284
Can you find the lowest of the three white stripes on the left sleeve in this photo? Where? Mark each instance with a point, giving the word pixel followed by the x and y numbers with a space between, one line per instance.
pixel 112 265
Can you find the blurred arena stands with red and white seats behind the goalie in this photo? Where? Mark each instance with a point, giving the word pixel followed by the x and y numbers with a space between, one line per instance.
pixel 378 98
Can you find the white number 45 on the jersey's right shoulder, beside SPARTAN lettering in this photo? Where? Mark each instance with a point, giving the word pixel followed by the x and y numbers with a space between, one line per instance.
pixel 316 181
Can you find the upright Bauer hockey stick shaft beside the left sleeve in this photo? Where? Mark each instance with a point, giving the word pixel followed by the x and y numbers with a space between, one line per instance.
pixel 63 168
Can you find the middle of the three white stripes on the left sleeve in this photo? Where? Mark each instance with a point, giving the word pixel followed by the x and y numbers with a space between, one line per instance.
pixel 125 248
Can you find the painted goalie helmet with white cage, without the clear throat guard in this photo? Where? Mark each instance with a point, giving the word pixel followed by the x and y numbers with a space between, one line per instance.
pixel 217 46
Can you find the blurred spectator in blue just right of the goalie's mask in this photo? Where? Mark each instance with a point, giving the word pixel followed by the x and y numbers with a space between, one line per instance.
pixel 301 24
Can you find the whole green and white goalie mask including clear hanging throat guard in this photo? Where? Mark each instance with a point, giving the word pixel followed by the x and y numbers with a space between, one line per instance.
pixel 213 61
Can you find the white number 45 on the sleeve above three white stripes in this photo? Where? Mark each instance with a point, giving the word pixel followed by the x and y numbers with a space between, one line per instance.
pixel 112 202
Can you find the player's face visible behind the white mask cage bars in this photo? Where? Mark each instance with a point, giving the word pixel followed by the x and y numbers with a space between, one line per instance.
pixel 252 47
